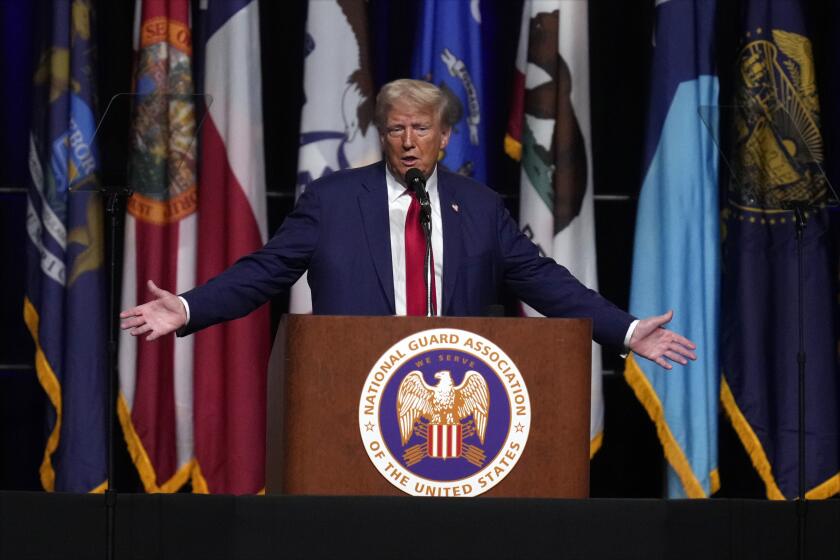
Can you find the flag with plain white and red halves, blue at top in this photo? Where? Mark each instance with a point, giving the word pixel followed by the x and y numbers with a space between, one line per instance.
pixel 231 358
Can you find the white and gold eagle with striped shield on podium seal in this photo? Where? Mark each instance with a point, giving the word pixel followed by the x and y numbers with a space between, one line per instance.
pixel 444 415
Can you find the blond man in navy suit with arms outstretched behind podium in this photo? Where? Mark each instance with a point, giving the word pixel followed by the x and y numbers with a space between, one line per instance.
pixel 349 232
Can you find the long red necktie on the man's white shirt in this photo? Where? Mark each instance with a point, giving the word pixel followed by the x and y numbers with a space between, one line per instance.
pixel 415 253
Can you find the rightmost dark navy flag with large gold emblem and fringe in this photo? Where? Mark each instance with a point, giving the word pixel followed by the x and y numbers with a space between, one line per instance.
pixel 777 154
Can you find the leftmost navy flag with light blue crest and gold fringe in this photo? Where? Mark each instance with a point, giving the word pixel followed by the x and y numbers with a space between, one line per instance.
pixel 64 306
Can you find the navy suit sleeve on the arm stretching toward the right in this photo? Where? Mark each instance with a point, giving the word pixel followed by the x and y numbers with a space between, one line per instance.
pixel 551 289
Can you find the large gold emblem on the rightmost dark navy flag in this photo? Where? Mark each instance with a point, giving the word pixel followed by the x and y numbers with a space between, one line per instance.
pixel 776 128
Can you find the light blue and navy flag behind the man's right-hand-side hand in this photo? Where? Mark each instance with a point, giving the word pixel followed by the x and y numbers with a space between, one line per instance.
pixel 675 257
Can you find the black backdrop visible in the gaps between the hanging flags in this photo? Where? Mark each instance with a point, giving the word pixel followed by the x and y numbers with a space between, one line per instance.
pixel 630 461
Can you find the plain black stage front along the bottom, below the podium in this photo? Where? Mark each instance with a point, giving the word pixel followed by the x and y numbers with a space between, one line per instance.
pixel 182 526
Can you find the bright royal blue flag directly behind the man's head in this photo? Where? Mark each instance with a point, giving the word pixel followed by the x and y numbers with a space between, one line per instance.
pixel 449 54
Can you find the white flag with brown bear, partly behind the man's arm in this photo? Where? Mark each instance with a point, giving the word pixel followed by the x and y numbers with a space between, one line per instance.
pixel 549 132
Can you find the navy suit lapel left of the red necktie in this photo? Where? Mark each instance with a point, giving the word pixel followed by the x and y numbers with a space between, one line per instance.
pixel 373 204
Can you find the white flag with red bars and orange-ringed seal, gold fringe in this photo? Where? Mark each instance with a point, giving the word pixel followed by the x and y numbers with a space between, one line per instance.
pixel 156 378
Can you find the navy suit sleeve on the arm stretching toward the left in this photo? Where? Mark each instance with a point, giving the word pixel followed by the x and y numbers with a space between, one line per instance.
pixel 256 278
